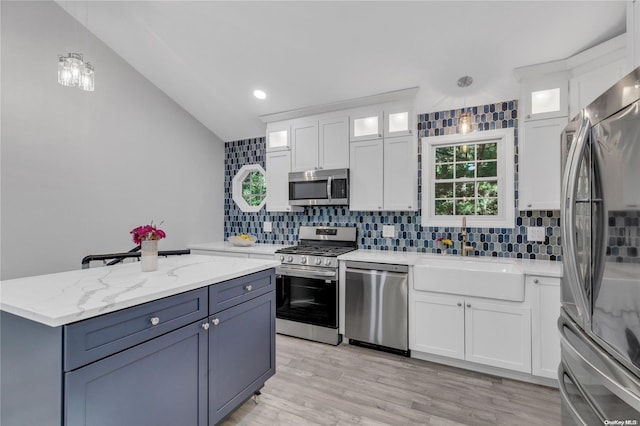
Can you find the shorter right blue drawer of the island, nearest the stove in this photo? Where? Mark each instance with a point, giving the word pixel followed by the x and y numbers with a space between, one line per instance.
pixel 238 290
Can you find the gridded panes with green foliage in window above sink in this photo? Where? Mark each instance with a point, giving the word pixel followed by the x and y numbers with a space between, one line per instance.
pixel 466 180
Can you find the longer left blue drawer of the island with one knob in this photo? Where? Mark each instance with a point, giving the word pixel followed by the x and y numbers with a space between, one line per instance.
pixel 96 338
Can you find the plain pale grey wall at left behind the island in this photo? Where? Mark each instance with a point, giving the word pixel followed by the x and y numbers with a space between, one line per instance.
pixel 79 170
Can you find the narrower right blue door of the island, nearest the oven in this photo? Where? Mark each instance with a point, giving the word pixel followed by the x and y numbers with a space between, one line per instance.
pixel 241 353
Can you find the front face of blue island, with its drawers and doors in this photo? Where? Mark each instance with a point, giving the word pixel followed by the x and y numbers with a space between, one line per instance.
pixel 193 374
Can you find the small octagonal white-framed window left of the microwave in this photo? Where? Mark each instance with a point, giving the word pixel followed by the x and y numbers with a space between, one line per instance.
pixel 249 188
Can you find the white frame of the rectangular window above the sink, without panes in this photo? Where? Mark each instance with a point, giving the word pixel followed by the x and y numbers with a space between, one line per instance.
pixel 506 186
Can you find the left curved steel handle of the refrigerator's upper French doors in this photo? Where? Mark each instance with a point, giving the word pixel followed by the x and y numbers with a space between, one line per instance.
pixel 569 184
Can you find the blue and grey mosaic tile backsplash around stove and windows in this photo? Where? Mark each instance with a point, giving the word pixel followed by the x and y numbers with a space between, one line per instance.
pixel 410 235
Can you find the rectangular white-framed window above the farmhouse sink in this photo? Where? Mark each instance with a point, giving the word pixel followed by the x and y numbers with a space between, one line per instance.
pixel 468 175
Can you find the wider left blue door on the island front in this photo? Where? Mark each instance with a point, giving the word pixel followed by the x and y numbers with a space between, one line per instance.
pixel 161 382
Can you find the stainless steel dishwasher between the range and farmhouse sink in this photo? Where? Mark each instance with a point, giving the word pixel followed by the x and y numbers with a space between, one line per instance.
pixel 376 306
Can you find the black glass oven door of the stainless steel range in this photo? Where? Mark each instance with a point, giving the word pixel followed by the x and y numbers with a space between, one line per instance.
pixel 307 296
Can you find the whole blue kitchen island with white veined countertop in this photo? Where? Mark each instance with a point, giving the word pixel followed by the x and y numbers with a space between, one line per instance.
pixel 185 344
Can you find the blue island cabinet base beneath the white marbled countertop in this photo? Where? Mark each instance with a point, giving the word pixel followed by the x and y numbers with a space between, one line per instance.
pixel 188 360
